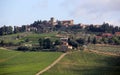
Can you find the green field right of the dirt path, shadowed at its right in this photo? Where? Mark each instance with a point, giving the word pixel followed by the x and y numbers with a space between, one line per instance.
pixel 86 63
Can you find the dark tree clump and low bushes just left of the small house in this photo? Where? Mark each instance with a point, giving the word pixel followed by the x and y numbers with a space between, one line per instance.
pixel 45 44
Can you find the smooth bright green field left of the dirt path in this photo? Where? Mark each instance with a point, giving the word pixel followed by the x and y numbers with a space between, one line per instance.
pixel 25 63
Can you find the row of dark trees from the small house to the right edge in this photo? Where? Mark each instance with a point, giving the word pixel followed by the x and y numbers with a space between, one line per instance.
pixel 76 43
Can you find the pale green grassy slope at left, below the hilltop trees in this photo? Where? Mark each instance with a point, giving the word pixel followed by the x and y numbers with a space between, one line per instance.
pixel 33 37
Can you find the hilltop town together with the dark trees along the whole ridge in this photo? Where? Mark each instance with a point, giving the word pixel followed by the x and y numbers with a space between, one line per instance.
pixel 55 25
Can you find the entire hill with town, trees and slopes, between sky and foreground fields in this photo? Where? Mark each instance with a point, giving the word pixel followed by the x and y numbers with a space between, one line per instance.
pixel 67 34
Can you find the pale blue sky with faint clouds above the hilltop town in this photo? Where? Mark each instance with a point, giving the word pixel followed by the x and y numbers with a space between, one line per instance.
pixel 20 12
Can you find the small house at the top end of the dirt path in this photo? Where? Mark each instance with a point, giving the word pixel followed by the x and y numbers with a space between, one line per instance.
pixel 64 47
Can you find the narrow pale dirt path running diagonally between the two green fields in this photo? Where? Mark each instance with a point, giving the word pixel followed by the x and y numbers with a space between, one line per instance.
pixel 51 65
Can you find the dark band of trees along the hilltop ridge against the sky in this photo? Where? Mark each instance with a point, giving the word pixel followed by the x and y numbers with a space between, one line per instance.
pixel 45 26
